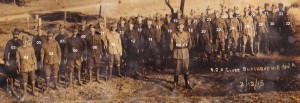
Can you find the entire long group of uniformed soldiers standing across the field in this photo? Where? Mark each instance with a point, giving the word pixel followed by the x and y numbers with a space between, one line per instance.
pixel 136 44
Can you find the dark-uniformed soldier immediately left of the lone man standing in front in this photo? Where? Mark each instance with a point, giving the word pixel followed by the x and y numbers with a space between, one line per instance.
pixel 166 30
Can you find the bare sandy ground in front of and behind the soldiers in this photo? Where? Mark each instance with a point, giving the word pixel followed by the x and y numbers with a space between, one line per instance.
pixel 156 87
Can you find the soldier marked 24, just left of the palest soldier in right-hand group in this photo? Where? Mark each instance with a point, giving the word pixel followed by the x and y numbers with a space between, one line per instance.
pixel 233 32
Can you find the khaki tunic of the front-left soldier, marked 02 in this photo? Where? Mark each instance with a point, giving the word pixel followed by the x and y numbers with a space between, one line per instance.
pixel 26 59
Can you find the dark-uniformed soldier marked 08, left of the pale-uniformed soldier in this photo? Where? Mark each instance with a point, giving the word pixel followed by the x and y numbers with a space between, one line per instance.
pixel 95 48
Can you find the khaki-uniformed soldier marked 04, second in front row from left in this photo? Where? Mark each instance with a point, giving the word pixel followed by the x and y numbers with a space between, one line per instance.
pixel 51 57
